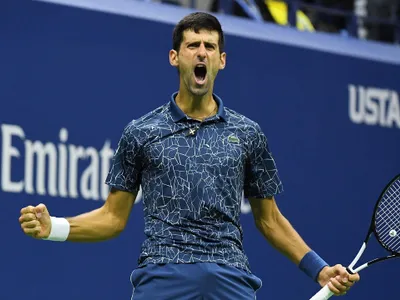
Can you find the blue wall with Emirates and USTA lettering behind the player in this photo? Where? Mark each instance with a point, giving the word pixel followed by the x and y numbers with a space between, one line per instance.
pixel 88 73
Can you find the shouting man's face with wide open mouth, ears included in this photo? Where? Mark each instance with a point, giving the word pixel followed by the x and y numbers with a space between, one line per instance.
pixel 198 61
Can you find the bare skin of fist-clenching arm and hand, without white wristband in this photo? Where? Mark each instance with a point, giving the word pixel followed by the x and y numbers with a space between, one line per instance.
pixel 100 224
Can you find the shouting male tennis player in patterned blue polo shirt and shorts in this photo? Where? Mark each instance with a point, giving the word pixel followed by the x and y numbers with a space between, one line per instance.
pixel 194 158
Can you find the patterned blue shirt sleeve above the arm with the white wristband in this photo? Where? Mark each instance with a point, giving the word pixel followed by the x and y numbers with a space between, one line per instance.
pixel 125 170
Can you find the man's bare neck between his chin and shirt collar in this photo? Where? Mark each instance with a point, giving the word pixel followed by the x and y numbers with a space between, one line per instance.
pixel 196 107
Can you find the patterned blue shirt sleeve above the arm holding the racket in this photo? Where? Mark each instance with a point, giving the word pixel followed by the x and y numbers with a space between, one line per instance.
pixel 261 175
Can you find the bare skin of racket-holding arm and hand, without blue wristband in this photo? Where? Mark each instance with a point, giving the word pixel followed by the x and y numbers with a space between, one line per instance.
pixel 282 236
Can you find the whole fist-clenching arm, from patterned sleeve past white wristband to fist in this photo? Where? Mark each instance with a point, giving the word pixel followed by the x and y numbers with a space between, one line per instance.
pixel 107 221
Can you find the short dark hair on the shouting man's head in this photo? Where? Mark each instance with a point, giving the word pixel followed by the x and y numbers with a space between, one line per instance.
pixel 196 22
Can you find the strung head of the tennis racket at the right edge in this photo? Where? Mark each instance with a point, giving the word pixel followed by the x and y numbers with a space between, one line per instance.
pixel 386 218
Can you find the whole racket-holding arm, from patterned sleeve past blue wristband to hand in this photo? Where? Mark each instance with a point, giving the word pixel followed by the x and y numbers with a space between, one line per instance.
pixel 261 183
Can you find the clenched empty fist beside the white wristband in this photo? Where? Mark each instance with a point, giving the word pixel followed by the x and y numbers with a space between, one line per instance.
pixel 35 221
